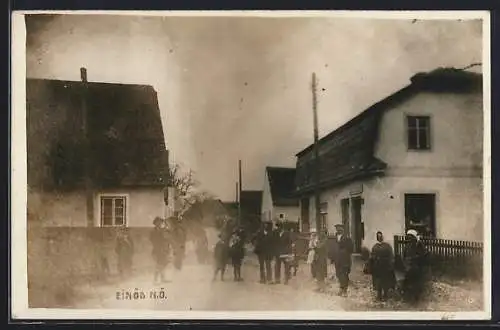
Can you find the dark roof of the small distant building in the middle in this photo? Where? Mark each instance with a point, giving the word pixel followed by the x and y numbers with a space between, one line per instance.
pixel 282 185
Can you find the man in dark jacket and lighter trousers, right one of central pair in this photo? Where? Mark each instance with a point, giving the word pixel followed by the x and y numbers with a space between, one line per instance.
pixel 282 251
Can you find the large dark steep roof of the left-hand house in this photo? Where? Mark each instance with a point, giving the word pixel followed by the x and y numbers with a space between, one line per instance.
pixel 127 145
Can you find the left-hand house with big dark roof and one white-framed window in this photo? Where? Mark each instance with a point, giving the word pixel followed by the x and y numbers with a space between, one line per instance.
pixel 128 160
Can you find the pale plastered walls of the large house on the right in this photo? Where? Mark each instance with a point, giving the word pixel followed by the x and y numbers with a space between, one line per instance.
pixel 452 169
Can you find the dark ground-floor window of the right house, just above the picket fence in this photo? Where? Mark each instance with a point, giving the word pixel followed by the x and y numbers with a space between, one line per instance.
pixel 420 213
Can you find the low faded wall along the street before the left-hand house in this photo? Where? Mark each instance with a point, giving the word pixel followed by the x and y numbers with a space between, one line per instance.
pixel 60 257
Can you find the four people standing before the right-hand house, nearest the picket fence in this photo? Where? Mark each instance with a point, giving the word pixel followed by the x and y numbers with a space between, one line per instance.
pixel 337 250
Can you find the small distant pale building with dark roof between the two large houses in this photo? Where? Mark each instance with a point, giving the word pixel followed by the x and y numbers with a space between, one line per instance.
pixel 278 200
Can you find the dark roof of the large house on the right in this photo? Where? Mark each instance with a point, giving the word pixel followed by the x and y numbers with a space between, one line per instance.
pixel 347 153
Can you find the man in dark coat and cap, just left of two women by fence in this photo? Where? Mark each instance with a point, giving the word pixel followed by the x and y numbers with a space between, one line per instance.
pixel 342 259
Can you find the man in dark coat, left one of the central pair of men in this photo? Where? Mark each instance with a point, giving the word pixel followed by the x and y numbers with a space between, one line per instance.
pixel 263 249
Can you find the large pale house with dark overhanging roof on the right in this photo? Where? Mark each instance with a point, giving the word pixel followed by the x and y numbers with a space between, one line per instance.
pixel 414 160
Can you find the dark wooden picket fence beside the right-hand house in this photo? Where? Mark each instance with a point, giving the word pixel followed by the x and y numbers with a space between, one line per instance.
pixel 447 257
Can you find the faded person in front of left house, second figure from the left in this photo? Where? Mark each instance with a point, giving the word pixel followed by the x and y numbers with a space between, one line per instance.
pixel 161 249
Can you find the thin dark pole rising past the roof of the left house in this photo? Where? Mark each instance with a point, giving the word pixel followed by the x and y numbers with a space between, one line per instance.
pixel 88 180
